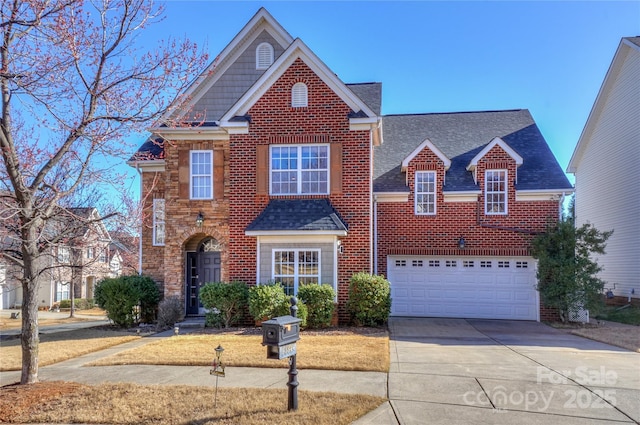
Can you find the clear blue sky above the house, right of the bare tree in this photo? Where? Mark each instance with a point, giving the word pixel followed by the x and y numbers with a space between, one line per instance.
pixel 546 56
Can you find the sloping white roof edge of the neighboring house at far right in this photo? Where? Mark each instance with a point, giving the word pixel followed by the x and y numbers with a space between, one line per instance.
pixel 628 46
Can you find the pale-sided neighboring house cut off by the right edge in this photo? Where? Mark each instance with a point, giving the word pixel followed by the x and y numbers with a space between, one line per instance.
pixel 605 165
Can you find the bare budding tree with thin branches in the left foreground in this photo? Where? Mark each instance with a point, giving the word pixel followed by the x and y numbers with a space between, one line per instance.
pixel 74 83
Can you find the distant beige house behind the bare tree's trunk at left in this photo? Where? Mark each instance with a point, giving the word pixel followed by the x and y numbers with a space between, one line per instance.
pixel 79 256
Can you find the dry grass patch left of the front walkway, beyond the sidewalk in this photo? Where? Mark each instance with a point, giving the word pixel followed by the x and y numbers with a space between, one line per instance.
pixel 62 346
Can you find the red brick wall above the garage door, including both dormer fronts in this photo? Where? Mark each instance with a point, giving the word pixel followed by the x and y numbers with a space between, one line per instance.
pixel 401 232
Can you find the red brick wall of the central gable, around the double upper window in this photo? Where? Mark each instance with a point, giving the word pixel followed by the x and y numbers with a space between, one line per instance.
pixel 273 119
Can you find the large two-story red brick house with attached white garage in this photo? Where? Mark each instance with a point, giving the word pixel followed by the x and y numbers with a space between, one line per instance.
pixel 276 170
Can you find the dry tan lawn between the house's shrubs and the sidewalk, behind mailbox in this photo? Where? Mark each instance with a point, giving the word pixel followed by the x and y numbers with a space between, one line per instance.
pixel 339 352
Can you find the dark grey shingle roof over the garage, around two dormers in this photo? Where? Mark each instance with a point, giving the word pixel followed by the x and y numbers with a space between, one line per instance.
pixel 460 136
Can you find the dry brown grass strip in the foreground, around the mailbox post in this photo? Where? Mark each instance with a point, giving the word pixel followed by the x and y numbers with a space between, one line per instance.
pixel 137 404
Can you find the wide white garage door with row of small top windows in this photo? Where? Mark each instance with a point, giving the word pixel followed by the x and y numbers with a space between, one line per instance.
pixel 470 287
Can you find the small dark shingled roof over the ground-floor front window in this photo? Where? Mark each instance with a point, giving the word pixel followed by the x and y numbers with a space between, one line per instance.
pixel 297 215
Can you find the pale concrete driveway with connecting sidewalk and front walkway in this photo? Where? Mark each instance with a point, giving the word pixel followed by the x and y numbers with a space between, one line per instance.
pixel 443 371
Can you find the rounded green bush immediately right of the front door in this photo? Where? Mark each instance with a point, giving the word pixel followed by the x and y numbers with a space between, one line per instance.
pixel 226 302
